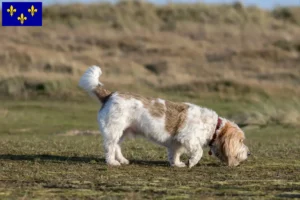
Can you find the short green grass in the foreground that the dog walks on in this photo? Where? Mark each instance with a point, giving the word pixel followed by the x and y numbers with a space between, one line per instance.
pixel 39 161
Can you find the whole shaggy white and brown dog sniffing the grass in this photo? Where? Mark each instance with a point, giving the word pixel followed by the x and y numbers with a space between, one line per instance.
pixel 180 127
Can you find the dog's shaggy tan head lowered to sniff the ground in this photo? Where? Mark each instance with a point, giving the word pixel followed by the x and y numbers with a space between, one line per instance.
pixel 229 145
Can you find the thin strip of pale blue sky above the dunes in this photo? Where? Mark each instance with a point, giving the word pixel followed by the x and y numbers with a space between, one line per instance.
pixel 266 4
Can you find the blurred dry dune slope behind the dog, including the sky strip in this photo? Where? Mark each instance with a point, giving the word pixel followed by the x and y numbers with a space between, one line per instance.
pixel 218 53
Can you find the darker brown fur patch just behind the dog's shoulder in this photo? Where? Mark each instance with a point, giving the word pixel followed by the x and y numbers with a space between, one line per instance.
pixel 175 116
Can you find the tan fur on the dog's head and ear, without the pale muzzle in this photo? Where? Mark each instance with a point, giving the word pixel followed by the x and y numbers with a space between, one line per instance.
pixel 229 139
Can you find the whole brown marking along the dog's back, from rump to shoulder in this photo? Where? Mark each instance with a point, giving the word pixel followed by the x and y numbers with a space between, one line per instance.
pixel 175 113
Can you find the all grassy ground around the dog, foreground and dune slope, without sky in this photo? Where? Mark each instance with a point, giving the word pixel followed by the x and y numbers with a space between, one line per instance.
pixel 243 62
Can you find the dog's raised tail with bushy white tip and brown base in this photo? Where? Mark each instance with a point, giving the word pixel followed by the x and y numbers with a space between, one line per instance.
pixel 90 83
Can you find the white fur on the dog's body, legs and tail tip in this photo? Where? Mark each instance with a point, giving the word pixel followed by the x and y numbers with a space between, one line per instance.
pixel 120 117
